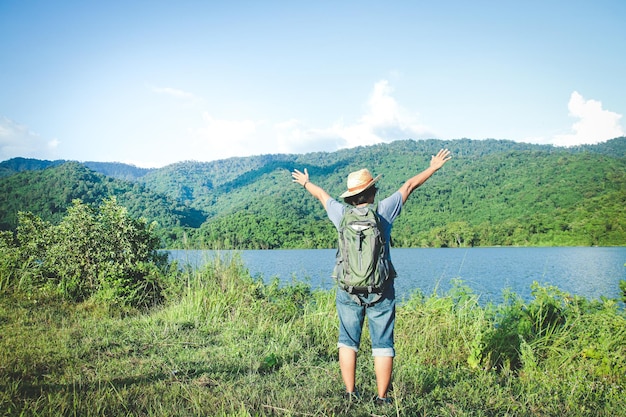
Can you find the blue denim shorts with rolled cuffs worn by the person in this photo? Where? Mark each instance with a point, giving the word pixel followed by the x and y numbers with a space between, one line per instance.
pixel 381 318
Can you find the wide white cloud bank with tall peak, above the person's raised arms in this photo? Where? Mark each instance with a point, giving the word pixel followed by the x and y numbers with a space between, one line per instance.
pixel 384 120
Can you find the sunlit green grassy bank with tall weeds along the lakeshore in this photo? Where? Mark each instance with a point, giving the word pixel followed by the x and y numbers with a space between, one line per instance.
pixel 225 344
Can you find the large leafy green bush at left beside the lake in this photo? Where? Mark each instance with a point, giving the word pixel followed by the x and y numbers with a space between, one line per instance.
pixel 100 252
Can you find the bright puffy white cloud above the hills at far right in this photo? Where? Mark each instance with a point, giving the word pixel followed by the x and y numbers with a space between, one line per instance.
pixel 594 124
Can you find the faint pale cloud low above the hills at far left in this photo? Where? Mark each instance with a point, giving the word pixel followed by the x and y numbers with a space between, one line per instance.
pixel 17 140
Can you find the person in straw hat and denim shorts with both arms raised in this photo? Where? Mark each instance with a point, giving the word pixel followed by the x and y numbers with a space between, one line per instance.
pixel 381 315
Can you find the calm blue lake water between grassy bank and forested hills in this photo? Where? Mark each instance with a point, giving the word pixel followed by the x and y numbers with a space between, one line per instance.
pixel 589 272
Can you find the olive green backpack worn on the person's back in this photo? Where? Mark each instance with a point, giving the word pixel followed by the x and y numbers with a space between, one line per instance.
pixel 362 264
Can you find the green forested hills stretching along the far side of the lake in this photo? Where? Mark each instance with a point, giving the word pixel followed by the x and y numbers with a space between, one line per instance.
pixel 493 192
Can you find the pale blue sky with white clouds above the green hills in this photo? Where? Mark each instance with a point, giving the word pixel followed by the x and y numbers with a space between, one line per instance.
pixel 151 83
